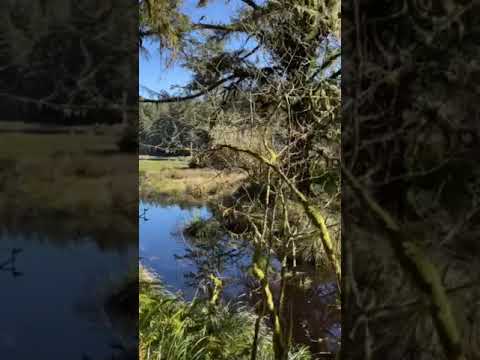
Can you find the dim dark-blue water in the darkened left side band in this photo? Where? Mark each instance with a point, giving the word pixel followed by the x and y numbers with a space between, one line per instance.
pixel 53 295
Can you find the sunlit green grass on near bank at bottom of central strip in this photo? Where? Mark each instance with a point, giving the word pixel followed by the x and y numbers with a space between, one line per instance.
pixel 172 329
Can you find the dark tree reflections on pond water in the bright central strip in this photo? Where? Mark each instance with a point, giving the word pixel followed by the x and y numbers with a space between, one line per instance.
pixel 310 299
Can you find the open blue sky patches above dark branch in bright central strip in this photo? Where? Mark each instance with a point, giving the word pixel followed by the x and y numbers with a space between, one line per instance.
pixel 153 73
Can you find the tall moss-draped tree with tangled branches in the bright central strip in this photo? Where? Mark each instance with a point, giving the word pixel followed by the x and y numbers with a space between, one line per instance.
pixel 272 67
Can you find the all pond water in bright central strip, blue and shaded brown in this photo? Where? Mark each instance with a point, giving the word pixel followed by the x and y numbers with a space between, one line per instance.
pixel 184 263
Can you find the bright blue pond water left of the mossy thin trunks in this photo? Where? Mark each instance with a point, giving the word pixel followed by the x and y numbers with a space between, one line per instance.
pixel 177 260
